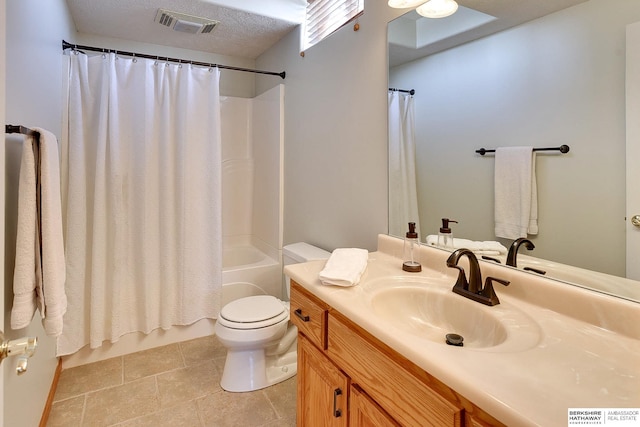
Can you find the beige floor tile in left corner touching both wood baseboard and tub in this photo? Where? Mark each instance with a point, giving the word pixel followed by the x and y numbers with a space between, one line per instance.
pixel 91 377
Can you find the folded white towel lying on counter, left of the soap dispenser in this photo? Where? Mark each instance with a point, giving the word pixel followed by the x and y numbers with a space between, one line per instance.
pixel 344 267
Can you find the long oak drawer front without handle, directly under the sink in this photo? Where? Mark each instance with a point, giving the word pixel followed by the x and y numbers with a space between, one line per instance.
pixel 403 396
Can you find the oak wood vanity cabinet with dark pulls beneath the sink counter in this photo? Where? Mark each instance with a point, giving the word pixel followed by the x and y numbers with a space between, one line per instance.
pixel 347 377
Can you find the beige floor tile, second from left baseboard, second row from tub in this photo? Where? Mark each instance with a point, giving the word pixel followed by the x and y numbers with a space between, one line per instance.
pixel 121 403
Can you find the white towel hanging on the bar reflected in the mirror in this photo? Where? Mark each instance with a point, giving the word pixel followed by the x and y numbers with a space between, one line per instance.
pixel 516 194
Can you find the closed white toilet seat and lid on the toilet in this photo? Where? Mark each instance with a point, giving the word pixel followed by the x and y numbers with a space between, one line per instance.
pixel 253 312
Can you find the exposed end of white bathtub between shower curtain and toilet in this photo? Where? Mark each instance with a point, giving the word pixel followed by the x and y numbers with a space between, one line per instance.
pixel 247 271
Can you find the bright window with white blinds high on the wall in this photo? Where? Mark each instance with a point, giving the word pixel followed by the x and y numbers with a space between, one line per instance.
pixel 326 16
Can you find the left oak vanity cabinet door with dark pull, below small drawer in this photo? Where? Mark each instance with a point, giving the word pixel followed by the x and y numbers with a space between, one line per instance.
pixel 322 389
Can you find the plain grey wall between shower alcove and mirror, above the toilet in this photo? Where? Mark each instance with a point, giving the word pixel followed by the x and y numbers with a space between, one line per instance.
pixel 335 151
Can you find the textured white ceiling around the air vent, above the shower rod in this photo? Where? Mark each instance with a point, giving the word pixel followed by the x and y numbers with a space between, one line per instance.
pixel 240 33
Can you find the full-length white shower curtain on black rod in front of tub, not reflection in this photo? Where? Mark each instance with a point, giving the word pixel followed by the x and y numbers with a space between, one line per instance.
pixel 143 215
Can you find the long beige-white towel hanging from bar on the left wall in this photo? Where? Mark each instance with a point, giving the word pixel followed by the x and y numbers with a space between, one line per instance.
pixel 40 228
